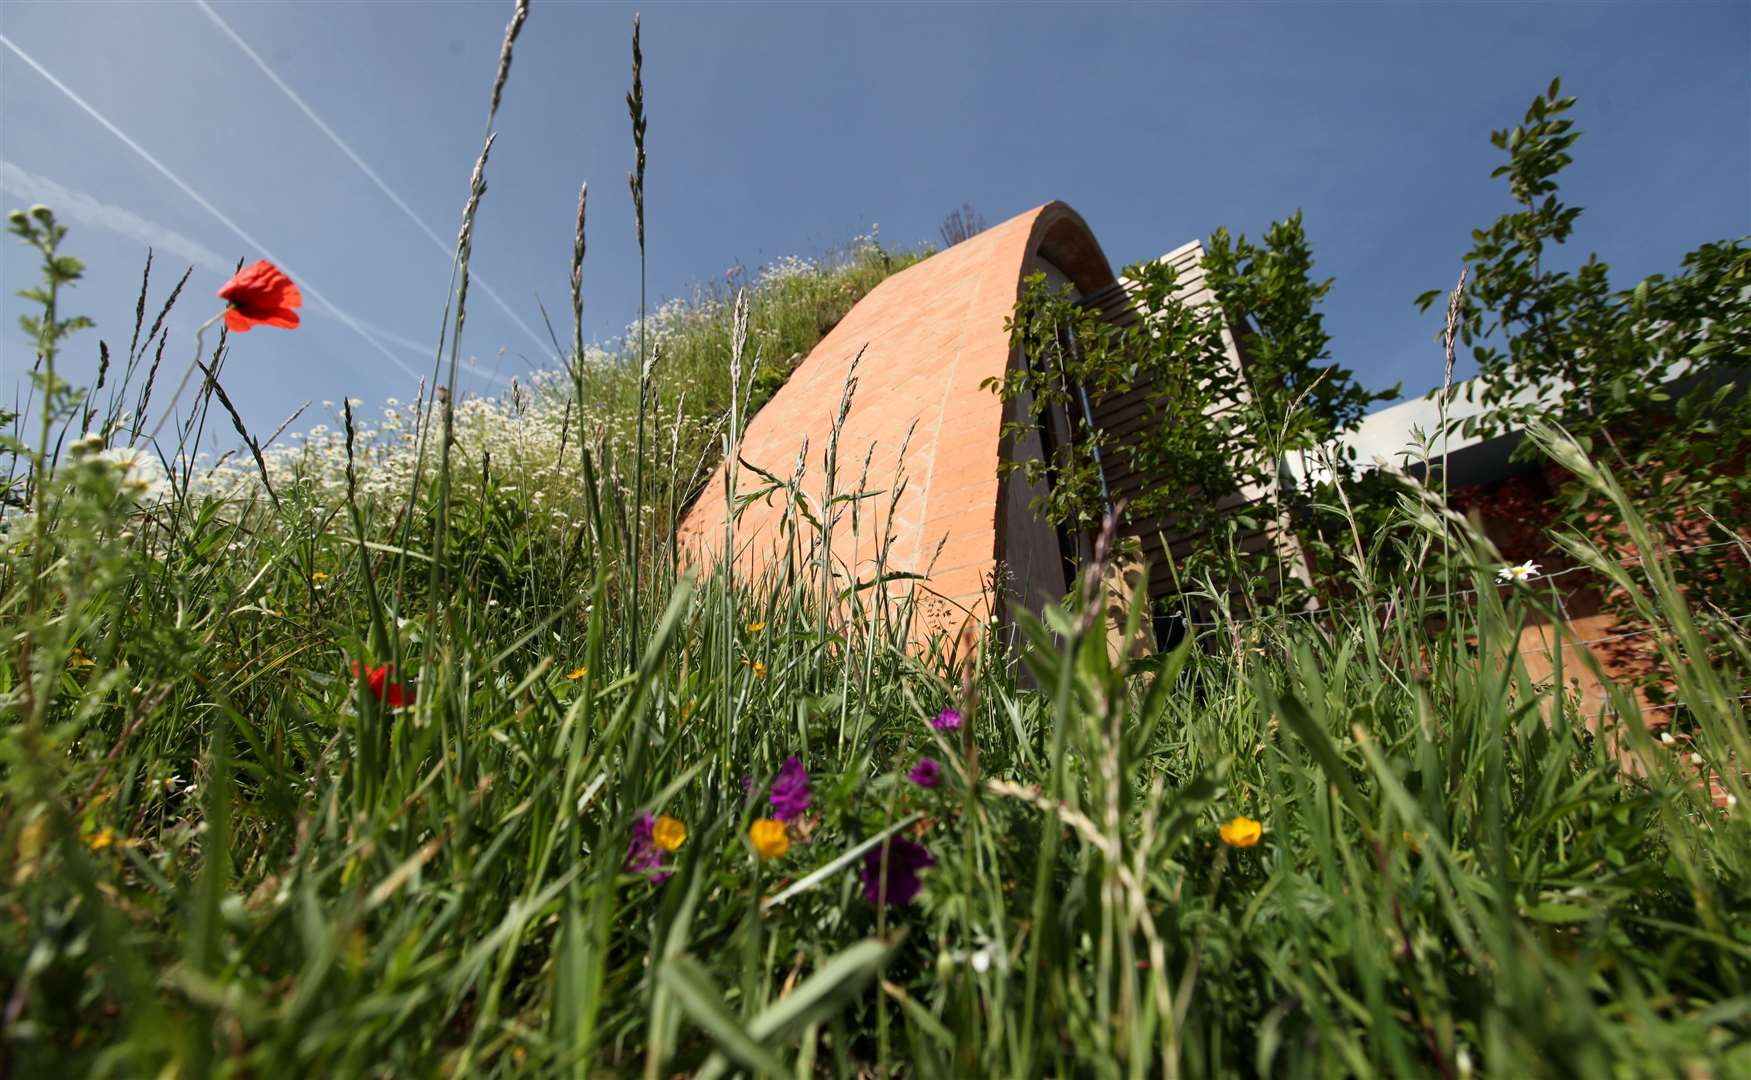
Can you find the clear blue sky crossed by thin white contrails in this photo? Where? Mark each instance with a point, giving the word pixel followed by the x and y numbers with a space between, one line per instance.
pixel 791 129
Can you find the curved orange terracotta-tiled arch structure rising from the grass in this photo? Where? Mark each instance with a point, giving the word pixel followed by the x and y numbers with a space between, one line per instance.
pixel 922 428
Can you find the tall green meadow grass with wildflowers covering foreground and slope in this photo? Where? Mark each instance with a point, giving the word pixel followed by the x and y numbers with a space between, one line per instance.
pixel 227 855
